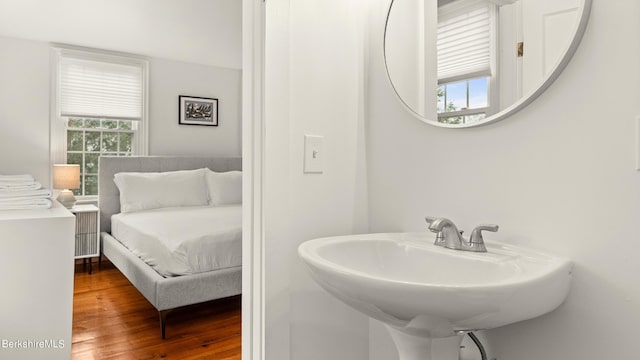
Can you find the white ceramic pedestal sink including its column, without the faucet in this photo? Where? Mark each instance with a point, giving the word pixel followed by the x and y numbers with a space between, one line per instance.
pixel 425 293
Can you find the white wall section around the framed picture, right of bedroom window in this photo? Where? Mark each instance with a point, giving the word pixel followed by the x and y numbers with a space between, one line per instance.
pixel 168 79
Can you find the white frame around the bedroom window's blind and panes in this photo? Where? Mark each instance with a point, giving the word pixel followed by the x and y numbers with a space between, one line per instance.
pixel 58 123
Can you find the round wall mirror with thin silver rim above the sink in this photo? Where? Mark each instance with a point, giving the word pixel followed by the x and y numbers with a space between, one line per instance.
pixel 463 63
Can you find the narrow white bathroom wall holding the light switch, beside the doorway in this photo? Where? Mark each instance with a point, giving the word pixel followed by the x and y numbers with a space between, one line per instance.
pixel 313 77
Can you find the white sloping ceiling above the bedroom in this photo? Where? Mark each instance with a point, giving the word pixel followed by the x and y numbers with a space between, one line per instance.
pixel 199 31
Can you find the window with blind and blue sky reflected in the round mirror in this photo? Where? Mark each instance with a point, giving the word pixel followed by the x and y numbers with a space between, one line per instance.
pixel 465 43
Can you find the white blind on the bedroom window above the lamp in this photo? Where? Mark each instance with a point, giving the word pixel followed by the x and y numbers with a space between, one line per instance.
pixel 91 88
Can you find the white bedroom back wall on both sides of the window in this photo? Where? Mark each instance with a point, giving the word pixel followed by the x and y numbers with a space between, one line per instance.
pixel 25 99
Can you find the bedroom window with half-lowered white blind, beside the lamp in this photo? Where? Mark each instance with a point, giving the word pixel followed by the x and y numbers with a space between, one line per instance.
pixel 100 110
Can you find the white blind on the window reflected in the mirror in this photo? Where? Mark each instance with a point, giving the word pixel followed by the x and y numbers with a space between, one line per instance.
pixel 464 39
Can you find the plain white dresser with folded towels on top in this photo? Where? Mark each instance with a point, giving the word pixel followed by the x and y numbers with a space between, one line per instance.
pixel 36 272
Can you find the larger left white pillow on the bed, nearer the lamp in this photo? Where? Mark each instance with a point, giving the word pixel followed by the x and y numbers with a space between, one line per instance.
pixel 153 190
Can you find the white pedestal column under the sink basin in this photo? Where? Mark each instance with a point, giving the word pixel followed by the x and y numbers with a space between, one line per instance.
pixel 423 348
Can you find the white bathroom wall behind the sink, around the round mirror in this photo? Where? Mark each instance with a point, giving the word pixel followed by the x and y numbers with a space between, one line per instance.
pixel 559 175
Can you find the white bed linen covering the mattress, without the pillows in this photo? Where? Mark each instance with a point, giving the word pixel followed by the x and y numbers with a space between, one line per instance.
pixel 183 240
